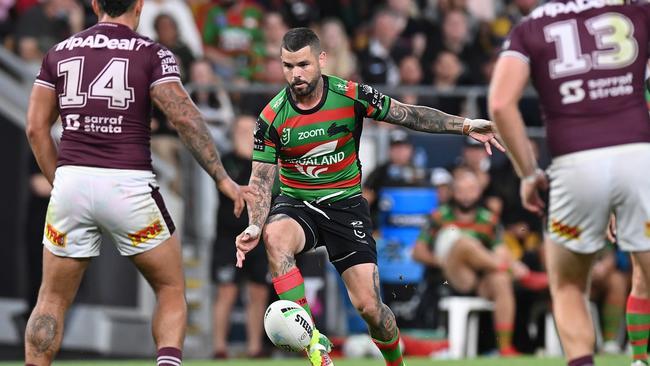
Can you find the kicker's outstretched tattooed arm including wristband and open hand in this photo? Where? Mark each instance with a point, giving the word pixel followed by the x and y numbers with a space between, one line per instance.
pixel 425 119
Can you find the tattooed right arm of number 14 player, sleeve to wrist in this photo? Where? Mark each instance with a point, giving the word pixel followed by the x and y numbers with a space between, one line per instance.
pixel 173 100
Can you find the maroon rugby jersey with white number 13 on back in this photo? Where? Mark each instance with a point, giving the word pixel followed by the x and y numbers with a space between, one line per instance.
pixel 587 60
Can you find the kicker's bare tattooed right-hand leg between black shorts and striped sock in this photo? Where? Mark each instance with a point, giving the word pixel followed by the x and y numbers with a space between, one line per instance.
pixel 362 282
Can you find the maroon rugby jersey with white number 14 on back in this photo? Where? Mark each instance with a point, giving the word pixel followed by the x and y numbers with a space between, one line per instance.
pixel 102 77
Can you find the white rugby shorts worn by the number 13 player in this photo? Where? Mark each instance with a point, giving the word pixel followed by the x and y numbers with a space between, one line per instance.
pixel 587 185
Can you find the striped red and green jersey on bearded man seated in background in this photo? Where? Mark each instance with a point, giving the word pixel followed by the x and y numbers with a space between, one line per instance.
pixel 485 226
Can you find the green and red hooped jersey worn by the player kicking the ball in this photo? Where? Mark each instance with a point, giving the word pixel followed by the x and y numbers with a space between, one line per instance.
pixel 317 149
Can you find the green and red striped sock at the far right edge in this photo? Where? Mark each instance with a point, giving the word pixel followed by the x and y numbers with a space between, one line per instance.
pixel 638 326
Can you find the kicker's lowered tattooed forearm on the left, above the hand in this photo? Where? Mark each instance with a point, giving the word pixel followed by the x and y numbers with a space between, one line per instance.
pixel 261 183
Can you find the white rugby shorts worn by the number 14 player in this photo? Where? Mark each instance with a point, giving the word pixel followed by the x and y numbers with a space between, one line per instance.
pixel 87 202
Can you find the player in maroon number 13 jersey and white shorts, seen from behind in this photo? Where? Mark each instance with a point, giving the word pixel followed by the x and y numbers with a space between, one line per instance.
pixel 587 59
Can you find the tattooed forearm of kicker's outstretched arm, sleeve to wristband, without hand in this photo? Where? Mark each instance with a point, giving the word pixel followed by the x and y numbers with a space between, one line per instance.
pixel 421 118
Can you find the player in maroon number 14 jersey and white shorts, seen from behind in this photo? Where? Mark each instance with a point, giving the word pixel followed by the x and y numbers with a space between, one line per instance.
pixel 102 83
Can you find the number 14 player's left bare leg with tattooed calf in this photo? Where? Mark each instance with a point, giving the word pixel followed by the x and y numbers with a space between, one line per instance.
pixel 61 278
